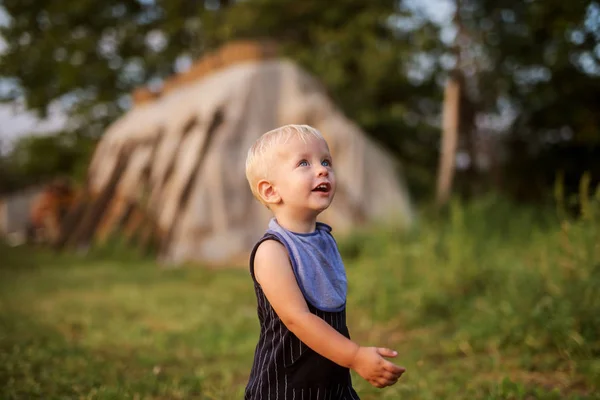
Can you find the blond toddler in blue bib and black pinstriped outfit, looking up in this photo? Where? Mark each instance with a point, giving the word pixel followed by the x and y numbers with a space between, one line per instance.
pixel 304 349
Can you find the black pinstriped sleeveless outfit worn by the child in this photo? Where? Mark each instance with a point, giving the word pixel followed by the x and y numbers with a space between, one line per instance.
pixel 284 368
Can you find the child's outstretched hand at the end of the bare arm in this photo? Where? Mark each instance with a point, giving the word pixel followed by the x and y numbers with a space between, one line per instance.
pixel 370 364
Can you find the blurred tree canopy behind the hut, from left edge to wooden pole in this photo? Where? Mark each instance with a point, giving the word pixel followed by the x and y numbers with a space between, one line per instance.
pixel 376 58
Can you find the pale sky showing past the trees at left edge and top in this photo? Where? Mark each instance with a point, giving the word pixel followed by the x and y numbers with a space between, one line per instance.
pixel 16 122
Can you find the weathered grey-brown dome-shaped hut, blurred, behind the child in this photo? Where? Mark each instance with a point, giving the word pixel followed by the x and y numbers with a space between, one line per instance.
pixel 189 200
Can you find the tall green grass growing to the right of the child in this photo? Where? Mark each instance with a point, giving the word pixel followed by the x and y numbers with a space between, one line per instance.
pixel 544 272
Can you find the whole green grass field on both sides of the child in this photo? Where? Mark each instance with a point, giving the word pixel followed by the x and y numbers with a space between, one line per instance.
pixel 490 302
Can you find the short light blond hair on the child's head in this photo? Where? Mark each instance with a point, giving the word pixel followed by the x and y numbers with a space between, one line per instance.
pixel 260 155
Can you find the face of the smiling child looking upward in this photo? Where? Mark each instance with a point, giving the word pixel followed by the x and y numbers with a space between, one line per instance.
pixel 303 175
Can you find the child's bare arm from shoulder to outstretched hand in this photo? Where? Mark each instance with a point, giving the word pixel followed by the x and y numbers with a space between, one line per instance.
pixel 275 275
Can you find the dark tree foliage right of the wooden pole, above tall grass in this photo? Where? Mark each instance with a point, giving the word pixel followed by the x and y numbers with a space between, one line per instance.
pixel 540 61
